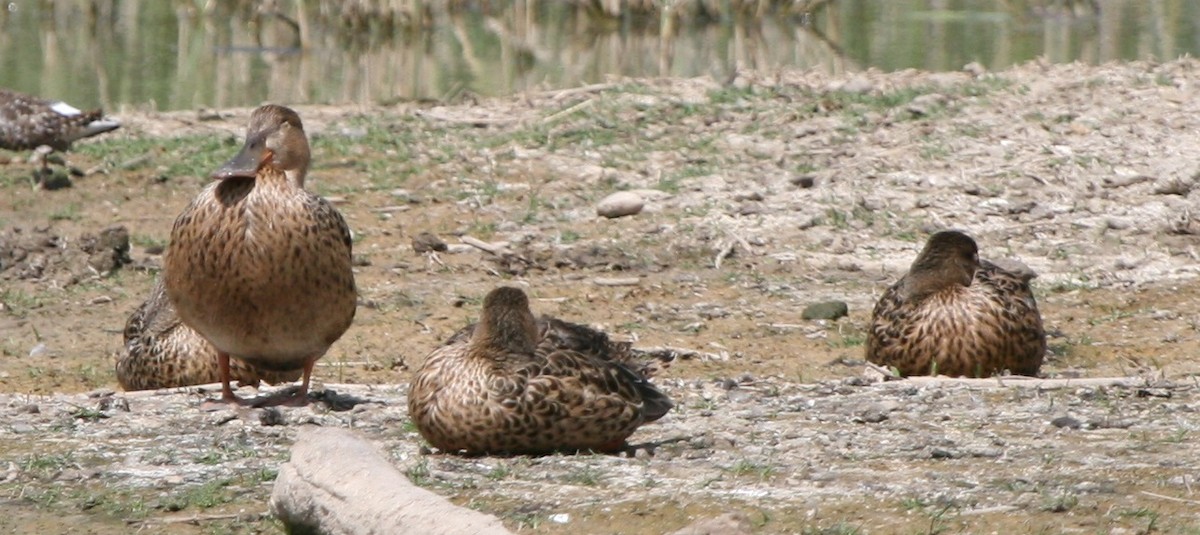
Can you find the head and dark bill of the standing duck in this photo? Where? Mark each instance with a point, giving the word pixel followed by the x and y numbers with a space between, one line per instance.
pixel 275 140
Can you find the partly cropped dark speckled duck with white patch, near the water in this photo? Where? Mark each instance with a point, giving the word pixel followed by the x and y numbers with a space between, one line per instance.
pixel 28 123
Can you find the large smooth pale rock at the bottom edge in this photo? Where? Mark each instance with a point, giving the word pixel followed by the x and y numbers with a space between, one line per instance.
pixel 339 484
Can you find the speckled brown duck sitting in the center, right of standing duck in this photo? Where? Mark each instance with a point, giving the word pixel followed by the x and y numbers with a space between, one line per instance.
pixel 514 384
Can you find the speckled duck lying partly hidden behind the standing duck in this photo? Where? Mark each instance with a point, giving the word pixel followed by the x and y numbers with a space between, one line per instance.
pixel 163 353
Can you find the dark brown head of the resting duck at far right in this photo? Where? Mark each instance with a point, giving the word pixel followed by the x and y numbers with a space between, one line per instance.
pixel 950 259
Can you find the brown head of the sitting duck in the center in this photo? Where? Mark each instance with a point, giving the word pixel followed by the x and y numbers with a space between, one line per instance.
pixel 507 322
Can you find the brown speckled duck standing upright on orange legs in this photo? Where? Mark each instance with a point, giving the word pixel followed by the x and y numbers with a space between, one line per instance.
pixel 260 267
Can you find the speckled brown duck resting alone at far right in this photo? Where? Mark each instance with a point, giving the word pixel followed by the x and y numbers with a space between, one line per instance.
pixel 953 315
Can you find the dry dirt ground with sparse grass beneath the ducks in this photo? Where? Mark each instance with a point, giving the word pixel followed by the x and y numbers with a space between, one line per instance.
pixel 764 195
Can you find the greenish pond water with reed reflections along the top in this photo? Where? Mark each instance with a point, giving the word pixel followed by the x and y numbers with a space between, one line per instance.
pixel 220 53
